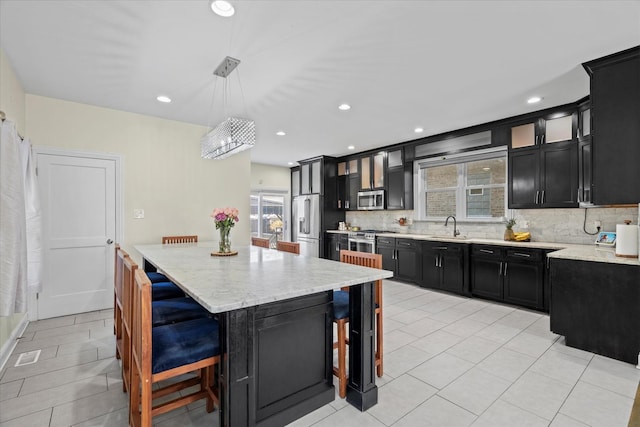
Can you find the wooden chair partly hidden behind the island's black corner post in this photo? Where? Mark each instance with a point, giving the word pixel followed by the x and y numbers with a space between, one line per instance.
pixel 341 317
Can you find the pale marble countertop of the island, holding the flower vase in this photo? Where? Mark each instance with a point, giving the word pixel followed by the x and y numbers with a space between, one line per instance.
pixel 254 276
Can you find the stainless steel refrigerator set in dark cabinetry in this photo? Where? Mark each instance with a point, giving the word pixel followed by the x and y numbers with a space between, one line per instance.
pixel 306 224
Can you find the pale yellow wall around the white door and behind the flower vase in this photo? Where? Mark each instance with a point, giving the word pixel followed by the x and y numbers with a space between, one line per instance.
pixel 162 171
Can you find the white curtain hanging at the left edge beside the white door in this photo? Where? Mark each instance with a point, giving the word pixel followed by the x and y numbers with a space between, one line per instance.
pixel 17 197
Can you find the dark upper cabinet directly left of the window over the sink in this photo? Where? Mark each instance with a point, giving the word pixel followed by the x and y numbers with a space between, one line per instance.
pixel 400 178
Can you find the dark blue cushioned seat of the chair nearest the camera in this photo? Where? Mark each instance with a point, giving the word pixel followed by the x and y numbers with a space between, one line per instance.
pixel 183 343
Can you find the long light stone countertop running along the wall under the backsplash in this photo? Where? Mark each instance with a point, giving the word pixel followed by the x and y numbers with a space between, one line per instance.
pixel 562 250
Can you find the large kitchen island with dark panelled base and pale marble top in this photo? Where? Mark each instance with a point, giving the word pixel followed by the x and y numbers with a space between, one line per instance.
pixel 276 326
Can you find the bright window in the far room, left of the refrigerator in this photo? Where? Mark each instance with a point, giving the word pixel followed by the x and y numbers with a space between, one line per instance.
pixel 268 215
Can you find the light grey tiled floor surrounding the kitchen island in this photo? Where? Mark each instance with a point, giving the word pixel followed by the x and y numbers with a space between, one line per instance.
pixel 449 361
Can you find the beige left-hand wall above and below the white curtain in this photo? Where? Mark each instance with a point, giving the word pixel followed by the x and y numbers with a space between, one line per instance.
pixel 12 101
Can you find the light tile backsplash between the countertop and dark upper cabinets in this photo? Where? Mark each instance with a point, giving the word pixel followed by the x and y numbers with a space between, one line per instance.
pixel 545 225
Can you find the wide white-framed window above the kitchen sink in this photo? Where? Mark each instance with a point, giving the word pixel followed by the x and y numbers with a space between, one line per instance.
pixel 469 186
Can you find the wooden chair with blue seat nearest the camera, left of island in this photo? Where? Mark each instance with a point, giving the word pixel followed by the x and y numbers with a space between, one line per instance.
pixel 167 352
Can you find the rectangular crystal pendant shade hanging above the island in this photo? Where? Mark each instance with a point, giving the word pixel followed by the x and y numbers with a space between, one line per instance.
pixel 228 138
